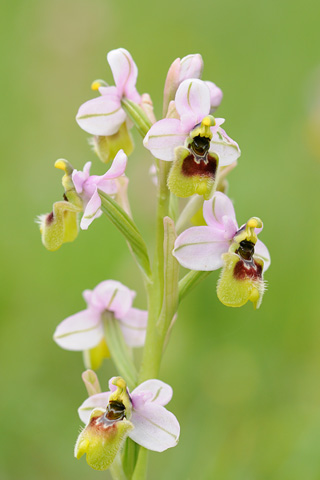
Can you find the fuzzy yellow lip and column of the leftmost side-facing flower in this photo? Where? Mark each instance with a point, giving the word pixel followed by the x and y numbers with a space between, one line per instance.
pixel 61 225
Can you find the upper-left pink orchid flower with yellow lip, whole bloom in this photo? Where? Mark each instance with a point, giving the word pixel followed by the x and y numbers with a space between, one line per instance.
pixel 104 116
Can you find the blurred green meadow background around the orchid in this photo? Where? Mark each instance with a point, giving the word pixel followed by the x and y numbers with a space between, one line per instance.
pixel 246 383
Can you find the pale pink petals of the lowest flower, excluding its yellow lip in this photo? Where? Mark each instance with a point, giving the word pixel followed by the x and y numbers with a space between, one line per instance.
pixel 155 428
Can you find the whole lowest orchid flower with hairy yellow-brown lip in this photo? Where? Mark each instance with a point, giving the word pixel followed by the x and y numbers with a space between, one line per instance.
pixel 112 416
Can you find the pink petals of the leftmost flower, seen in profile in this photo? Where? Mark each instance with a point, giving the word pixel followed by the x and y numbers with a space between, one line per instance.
pixel 87 186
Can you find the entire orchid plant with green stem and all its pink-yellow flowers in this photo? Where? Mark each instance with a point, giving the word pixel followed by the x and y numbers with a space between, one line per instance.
pixel 192 157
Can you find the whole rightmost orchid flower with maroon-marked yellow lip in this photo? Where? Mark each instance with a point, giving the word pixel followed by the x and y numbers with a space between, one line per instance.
pixel 221 243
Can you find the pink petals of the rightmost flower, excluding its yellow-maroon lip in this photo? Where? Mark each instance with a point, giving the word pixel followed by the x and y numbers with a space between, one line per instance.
pixel 201 248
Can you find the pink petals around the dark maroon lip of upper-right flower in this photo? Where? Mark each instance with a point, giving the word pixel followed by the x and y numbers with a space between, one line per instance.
pixel 193 102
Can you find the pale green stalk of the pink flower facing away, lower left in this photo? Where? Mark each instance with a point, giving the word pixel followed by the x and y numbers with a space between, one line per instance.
pixel 119 350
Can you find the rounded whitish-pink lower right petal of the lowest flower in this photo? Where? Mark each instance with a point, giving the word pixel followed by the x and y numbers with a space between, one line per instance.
pixel 156 428
